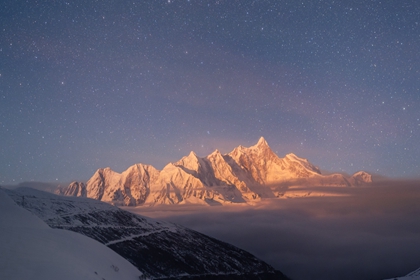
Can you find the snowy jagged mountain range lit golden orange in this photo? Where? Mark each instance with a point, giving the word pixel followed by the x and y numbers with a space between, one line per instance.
pixel 245 175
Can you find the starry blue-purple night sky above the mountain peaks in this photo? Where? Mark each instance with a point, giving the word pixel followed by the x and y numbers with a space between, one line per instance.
pixel 90 84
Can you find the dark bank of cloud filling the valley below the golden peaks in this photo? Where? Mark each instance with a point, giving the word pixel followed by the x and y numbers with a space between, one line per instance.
pixel 370 232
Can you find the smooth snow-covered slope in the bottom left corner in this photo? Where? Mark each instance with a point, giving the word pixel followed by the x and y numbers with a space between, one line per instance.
pixel 30 249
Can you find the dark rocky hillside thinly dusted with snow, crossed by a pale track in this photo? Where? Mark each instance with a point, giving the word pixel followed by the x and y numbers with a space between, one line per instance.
pixel 160 250
